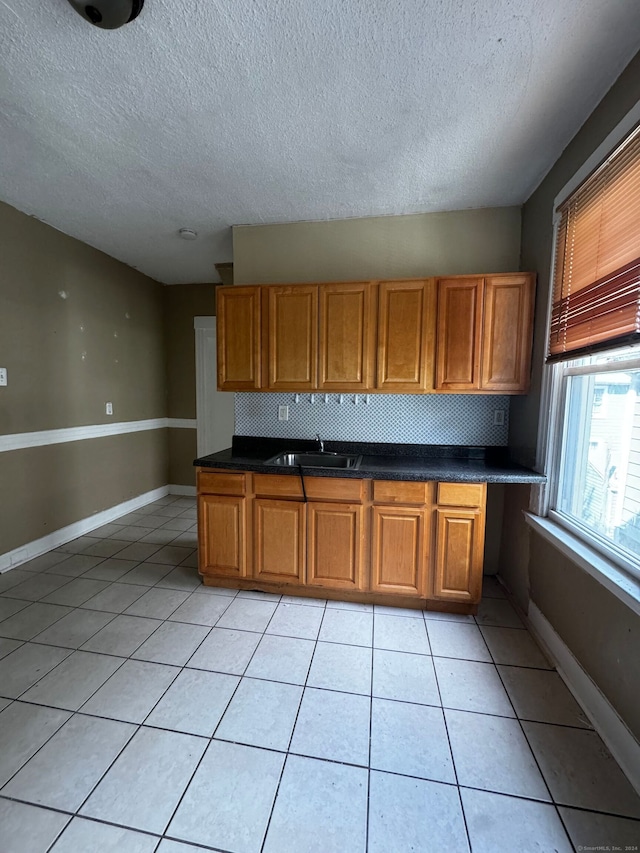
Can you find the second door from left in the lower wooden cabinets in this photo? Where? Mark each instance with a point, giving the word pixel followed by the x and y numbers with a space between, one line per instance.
pixel 279 541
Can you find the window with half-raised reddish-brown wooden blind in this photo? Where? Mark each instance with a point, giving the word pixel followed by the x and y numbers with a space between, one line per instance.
pixel 594 349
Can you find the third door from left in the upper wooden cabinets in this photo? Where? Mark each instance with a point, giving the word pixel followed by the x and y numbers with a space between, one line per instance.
pixel 347 336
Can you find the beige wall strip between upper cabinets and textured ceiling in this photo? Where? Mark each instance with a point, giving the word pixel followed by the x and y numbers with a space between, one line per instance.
pixel 455 242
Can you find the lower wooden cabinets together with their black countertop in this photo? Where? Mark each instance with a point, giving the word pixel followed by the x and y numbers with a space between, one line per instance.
pixel 404 527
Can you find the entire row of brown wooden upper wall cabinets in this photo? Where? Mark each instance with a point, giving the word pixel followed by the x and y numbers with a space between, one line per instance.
pixel 461 334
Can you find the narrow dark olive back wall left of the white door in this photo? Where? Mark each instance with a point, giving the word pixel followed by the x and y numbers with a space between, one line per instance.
pixel 183 302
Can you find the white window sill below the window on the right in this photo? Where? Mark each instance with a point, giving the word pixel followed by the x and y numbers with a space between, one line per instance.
pixel 618 582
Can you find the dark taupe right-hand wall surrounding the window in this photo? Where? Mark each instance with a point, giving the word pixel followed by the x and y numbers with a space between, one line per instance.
pixel 600 631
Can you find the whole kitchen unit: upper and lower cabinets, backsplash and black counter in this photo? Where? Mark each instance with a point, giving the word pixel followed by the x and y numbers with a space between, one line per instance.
pixel 481 327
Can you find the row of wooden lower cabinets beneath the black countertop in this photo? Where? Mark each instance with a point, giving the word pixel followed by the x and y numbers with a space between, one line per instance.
pixel 421 543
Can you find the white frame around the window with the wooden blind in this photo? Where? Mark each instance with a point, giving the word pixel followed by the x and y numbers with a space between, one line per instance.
pixel 553 394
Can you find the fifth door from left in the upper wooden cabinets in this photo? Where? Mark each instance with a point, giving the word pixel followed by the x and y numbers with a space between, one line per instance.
pixel 458 335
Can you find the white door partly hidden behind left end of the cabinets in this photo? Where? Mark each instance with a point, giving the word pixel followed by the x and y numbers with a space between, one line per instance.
pixel 214 409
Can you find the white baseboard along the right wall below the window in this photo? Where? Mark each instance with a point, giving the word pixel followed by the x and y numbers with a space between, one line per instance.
pixel 606 721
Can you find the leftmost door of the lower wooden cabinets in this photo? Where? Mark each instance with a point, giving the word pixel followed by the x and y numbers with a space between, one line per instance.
pixel 222 535
